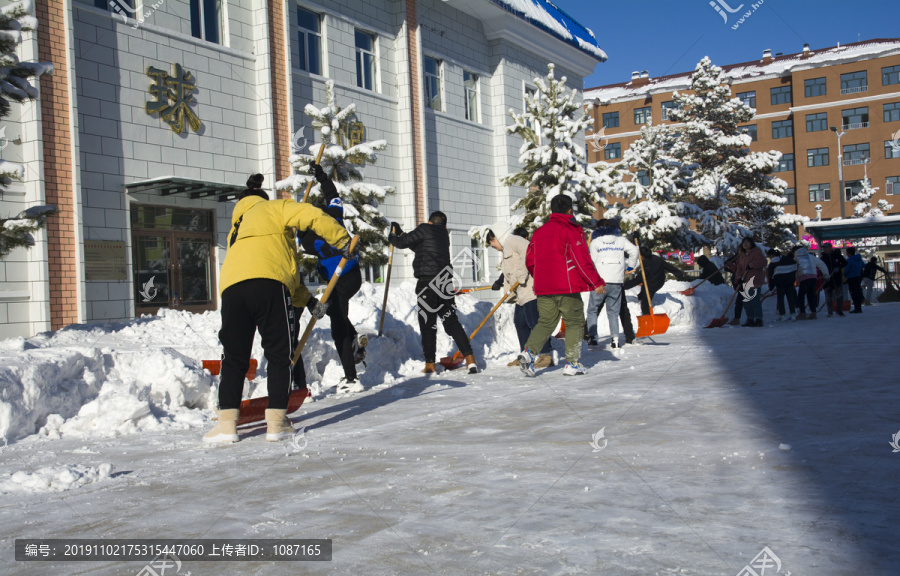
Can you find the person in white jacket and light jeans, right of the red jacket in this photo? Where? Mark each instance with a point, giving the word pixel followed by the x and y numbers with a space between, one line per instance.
pixel 611 254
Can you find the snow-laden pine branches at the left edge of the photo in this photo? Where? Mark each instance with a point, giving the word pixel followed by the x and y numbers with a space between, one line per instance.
pixel 15 85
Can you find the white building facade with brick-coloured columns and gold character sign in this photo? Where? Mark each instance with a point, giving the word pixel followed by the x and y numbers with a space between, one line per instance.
pixel 158 112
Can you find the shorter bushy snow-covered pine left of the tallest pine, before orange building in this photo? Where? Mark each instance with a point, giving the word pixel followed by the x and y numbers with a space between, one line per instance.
pixel 659 212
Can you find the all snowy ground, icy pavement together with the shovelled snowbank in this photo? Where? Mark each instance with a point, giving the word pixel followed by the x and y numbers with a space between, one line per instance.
pixel 687 455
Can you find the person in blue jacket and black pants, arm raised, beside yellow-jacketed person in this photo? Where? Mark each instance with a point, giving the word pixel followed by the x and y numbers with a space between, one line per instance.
pixel 350 346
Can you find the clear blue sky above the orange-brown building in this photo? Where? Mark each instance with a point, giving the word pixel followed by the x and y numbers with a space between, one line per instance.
pixel 667 37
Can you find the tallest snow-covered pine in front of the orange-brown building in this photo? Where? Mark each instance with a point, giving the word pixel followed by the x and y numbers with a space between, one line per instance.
pixel 735 188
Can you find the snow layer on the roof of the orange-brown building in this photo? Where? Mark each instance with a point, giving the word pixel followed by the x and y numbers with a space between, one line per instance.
pixel 781 65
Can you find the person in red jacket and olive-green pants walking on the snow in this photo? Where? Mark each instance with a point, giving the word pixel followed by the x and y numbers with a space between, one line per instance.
pixel 559 261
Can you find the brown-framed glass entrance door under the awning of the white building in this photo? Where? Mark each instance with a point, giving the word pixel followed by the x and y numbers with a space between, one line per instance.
pixel 173 265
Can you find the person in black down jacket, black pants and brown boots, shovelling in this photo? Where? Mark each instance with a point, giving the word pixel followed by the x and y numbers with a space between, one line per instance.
pixel 434 287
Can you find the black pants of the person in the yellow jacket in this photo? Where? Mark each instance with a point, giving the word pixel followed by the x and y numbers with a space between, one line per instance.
pixel 264 305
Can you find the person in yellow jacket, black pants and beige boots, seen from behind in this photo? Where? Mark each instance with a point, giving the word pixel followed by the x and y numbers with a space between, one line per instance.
pixel 260 286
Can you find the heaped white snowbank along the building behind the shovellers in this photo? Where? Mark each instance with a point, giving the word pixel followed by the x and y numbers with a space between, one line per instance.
pixel 103 380
